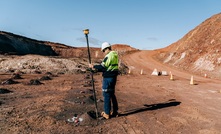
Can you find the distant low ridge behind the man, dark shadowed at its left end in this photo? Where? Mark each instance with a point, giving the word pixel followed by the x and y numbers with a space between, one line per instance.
pixel 15 44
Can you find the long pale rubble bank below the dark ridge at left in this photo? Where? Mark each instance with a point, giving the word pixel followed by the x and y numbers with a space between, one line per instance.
pixel 37 64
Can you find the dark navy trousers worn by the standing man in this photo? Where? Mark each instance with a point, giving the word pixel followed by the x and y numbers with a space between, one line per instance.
pixel 108 88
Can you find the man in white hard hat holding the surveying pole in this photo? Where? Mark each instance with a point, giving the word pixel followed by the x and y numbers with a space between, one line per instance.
pixel 109 67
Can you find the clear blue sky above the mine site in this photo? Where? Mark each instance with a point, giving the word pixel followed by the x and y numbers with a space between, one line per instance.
pixel 143 24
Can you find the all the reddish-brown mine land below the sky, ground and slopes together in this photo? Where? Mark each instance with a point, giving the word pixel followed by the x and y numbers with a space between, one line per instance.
pixel 52 93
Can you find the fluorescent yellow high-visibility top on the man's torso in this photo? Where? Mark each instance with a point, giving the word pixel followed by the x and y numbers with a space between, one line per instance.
pixel 110 61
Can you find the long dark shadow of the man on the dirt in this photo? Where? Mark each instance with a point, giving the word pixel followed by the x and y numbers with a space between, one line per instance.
pixel 169 103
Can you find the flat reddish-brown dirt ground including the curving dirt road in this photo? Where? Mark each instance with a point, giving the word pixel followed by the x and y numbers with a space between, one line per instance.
pixel 147 104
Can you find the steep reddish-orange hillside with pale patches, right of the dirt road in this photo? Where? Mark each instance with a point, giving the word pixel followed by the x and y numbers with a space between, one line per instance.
pixel 198 51
